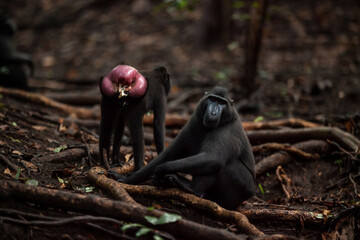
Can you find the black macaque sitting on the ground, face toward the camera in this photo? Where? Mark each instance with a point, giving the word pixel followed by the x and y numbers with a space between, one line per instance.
pixel 213 148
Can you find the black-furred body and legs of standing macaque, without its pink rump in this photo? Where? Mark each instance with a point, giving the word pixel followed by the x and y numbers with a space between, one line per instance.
pixel 115 113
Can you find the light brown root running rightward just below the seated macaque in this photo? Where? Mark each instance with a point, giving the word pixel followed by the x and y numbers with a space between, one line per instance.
pixel 175 194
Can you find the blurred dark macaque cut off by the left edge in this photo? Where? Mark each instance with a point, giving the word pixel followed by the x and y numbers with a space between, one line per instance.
pixel 15 67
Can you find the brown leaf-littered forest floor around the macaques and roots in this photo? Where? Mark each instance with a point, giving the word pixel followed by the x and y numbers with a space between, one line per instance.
pixel 309 69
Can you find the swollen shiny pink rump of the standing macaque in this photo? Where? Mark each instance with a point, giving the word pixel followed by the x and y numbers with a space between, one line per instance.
pixel 122 81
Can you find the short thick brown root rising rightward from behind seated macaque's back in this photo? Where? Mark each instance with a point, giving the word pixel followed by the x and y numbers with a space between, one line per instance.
pixel 283 158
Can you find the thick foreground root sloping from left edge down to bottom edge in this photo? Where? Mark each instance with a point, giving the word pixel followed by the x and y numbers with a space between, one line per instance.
pixel 96 205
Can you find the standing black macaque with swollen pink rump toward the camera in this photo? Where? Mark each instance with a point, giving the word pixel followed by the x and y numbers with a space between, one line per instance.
pixel 126 96
